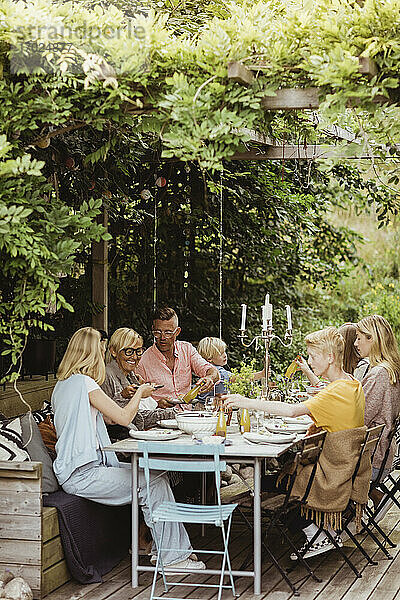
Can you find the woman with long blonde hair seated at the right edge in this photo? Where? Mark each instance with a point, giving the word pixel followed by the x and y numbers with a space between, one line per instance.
pixel 381 384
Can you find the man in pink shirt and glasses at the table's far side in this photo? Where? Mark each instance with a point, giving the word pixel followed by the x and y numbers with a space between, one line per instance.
pixel 170 363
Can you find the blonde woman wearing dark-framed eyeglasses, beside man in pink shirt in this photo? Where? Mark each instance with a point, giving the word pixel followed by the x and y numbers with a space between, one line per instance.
pixel 124 351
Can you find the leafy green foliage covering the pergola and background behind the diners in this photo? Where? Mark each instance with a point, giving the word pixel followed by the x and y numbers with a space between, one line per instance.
pixel 94 123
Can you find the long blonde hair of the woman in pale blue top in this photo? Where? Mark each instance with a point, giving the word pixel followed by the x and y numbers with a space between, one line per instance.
pixel 84 355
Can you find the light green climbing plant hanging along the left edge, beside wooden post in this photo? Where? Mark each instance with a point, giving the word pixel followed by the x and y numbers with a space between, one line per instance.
pixel 39 238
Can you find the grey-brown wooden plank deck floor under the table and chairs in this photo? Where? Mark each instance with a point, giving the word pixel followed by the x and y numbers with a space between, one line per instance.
pixel 380 582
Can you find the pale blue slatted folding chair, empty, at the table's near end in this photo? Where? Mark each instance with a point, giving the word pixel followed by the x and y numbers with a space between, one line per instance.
pixel 207 460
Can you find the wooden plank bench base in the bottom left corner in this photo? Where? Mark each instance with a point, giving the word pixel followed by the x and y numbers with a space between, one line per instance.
pixel 29 534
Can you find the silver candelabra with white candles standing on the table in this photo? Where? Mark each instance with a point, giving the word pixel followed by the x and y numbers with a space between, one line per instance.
pixel 267 336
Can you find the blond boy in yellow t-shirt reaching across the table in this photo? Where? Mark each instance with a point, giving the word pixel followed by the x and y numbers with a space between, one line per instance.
pixel 338 407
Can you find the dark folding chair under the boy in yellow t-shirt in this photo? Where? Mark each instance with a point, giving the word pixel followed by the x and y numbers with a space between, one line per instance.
pixel 276 508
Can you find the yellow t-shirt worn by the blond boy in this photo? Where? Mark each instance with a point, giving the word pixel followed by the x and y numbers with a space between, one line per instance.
pixel 339 406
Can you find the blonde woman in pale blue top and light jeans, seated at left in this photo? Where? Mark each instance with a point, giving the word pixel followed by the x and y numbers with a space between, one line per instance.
pixel 81 466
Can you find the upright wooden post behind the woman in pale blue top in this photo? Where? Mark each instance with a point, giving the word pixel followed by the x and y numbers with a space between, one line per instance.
pixel 100 278
